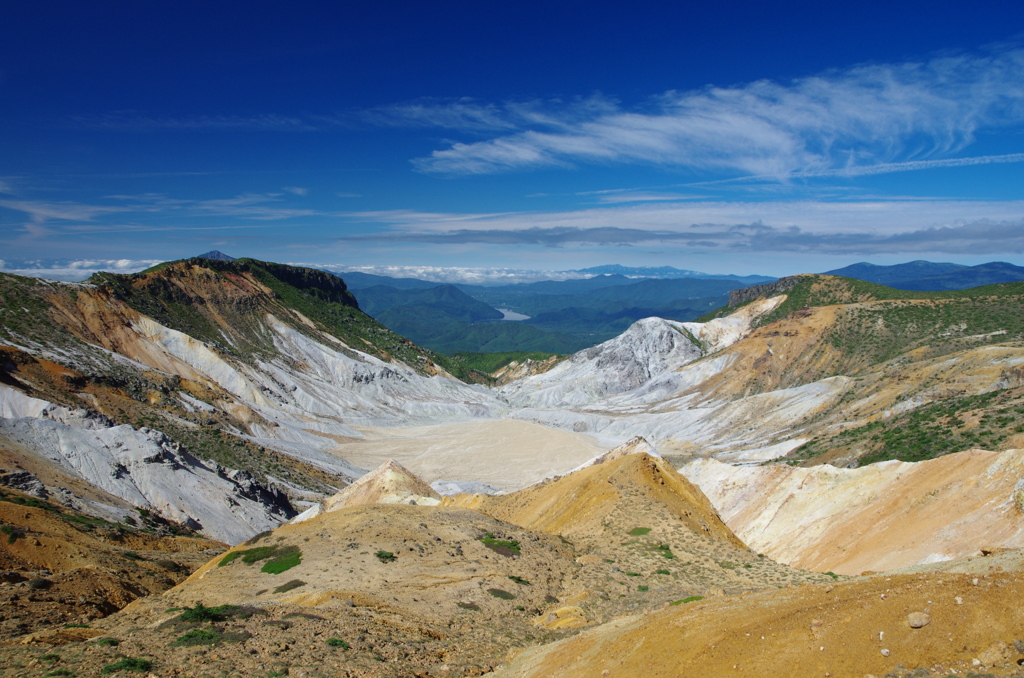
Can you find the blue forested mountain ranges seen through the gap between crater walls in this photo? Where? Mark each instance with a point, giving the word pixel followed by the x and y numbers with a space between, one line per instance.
pixel 564 316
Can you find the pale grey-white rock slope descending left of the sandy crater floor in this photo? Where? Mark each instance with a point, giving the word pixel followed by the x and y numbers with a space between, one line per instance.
pixel 313 394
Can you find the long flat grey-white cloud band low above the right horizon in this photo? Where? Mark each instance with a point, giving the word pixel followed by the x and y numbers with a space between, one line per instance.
pixel 870 227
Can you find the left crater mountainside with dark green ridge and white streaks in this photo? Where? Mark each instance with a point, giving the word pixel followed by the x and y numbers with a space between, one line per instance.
pixel 245 375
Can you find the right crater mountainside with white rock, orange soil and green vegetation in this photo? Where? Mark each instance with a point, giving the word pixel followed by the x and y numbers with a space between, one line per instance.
pixel 814 373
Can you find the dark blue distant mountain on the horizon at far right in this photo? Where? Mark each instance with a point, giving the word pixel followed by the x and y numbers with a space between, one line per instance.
pixel 932 277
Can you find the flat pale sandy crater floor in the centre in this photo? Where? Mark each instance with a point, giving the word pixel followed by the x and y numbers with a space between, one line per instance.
pixel 505 453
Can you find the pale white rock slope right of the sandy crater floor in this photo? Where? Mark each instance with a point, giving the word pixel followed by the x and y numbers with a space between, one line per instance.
pixel 649 382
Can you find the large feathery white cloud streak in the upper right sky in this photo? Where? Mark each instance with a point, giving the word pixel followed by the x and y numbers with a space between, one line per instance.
pixel 849 120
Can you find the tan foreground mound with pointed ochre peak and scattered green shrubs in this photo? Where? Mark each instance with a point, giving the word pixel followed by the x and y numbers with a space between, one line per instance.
pixel 393 589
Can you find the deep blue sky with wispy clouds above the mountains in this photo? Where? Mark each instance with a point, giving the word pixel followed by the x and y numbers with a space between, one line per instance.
pixel 414 139
